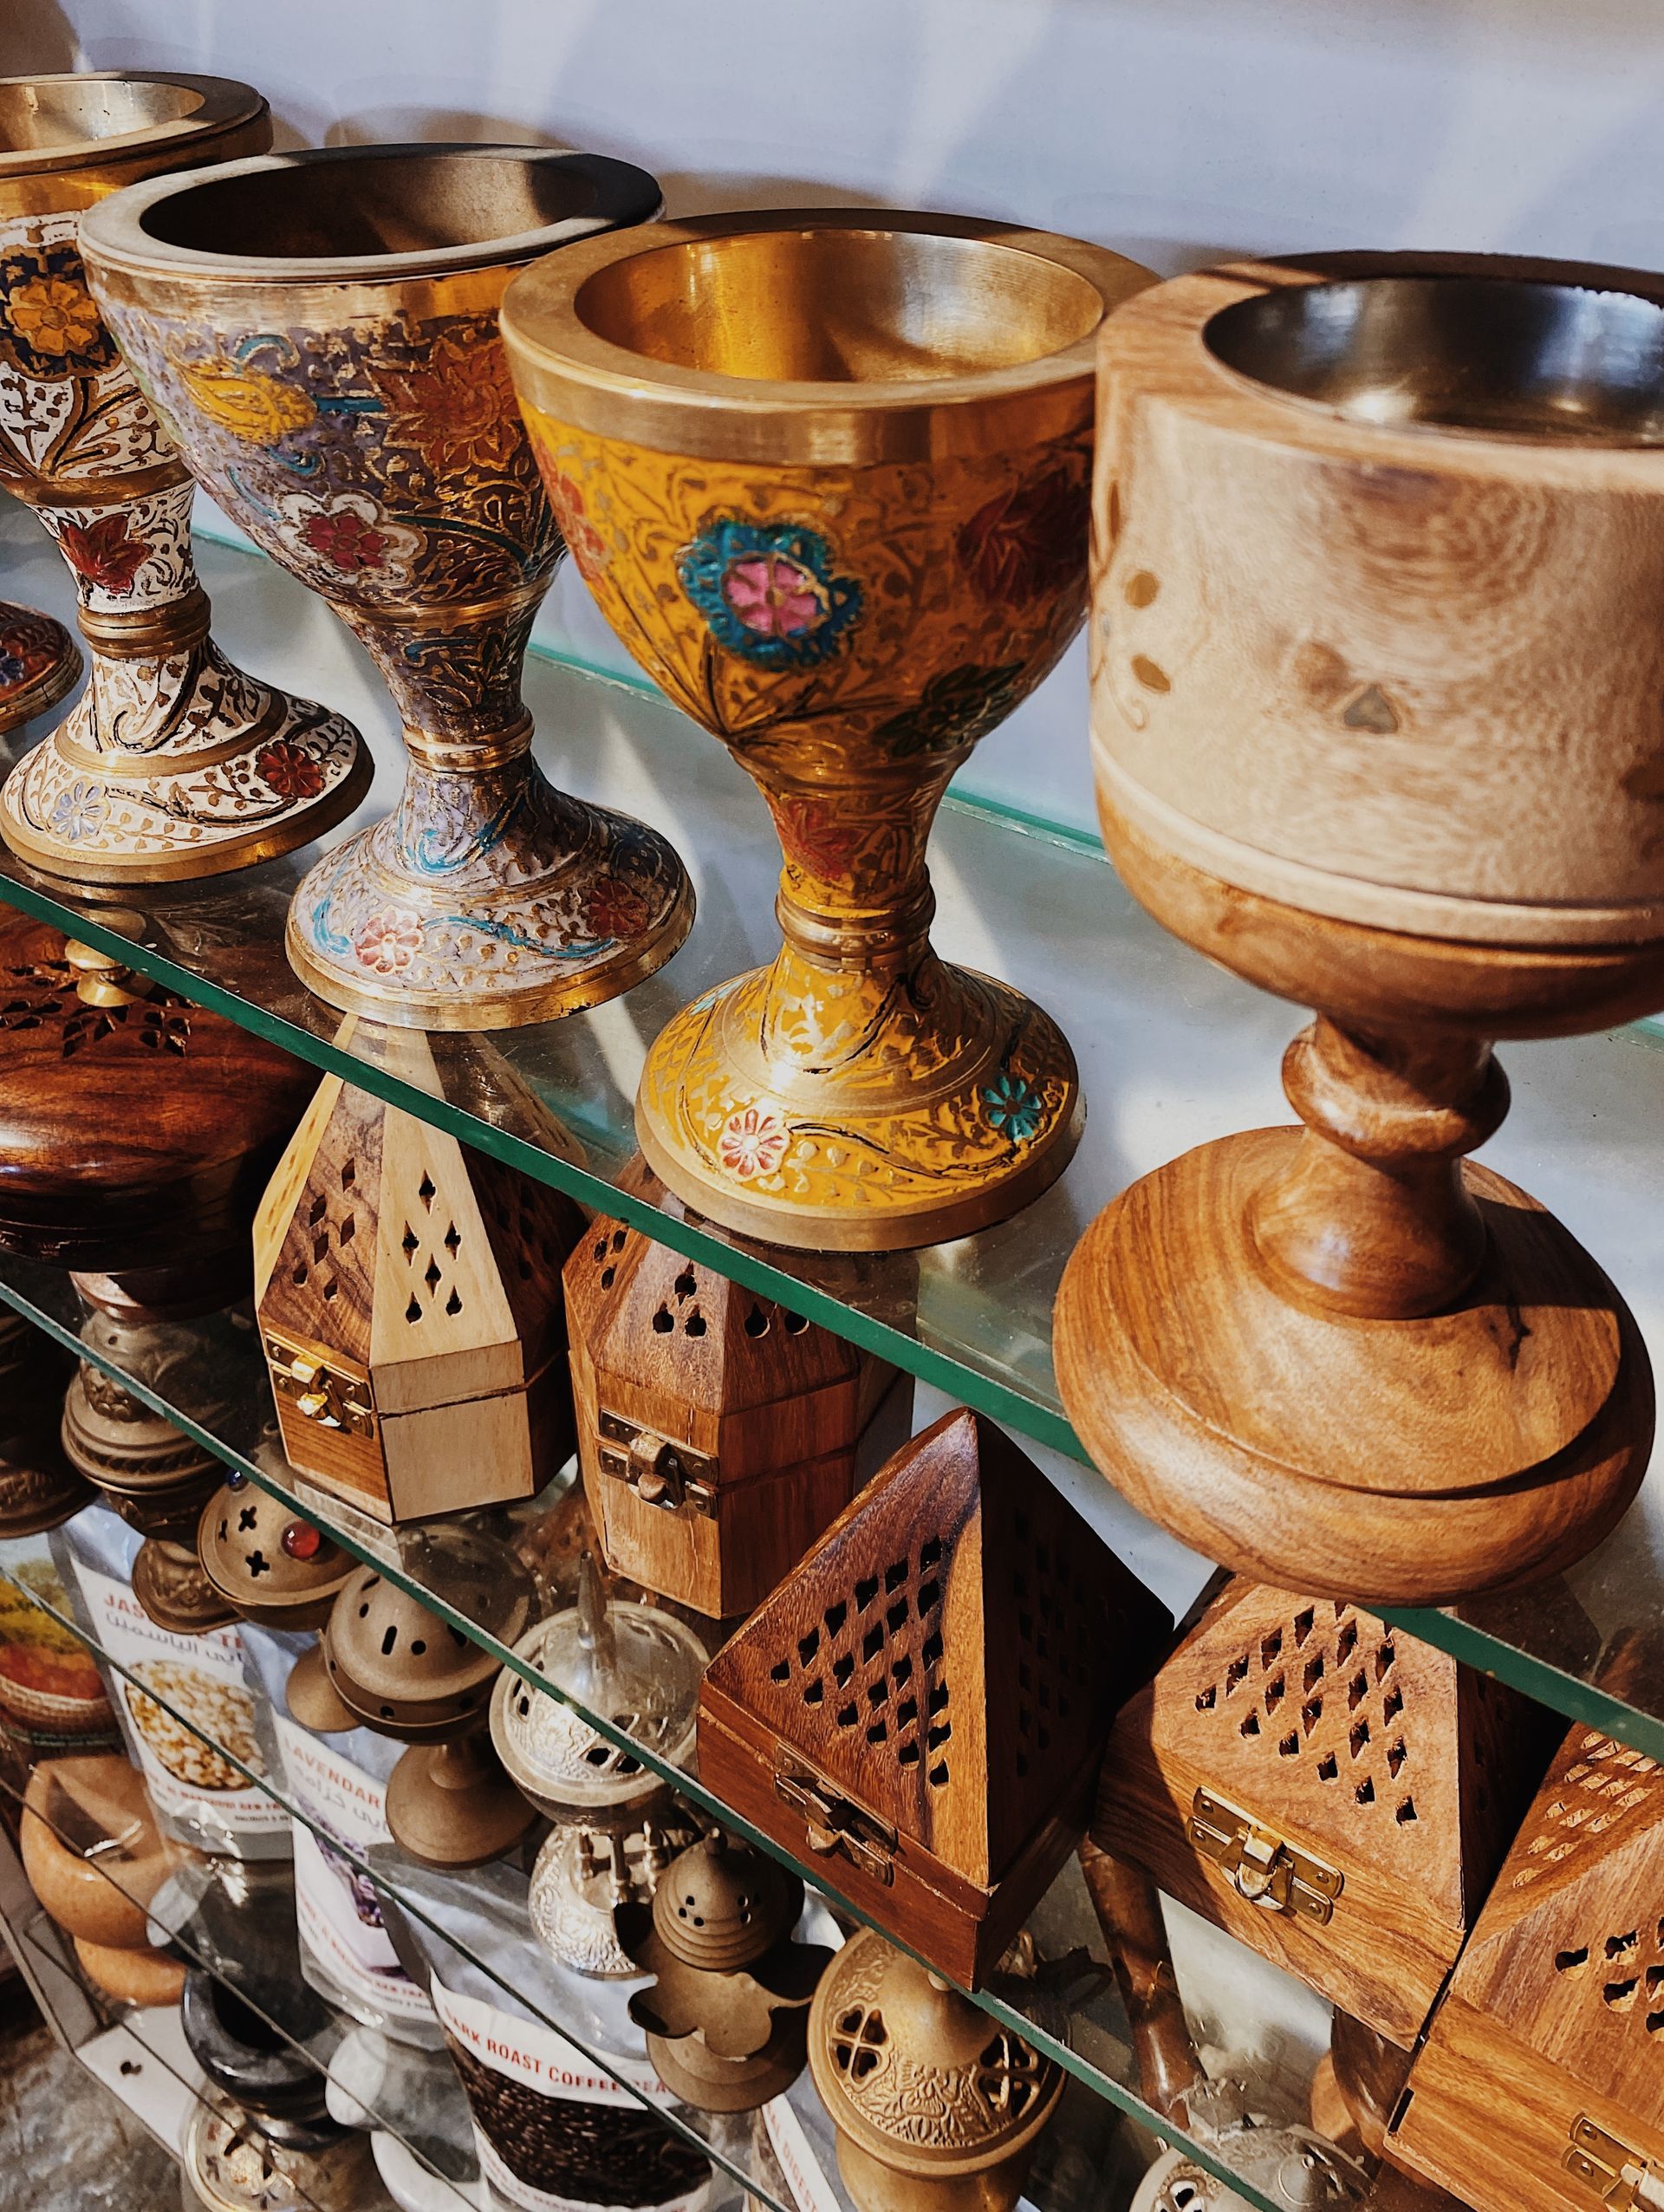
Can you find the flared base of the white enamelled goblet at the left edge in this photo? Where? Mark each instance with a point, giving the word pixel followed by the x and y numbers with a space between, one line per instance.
pixel 222 773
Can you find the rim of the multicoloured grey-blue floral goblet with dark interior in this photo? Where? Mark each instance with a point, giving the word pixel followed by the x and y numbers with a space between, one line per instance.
pixel 116 242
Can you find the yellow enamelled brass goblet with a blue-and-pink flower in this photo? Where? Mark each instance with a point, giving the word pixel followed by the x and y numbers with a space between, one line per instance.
pixel 826 477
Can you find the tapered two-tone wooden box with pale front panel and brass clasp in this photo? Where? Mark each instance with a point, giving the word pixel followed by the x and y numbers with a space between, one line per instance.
pixel 408 1295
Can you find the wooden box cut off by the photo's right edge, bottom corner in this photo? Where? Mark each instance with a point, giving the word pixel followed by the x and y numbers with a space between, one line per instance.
pixel 1552 2034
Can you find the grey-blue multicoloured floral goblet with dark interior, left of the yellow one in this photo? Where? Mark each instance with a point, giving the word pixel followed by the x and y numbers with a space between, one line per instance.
pixel 320 333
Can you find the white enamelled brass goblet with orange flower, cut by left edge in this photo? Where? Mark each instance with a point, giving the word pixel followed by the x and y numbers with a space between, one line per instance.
pixel 174 762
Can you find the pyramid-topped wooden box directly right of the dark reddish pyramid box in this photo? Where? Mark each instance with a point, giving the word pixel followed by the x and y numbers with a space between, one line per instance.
pixel 1329 1791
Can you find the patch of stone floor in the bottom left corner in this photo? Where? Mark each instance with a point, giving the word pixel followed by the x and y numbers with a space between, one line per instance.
pixel 65 2142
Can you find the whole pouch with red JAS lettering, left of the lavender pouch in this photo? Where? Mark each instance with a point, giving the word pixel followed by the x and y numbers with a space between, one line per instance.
pixel 200 1795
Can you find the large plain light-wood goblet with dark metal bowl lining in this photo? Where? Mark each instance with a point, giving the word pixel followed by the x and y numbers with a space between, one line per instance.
pixel 1375 724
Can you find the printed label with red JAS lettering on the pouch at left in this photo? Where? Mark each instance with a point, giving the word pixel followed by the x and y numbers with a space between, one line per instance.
pixel 200 1678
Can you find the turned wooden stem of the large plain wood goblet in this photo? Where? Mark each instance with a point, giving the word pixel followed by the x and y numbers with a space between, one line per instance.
pixel 1373 1218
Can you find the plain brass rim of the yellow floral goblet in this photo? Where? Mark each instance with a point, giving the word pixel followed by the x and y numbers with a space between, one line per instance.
pixel 574 375
